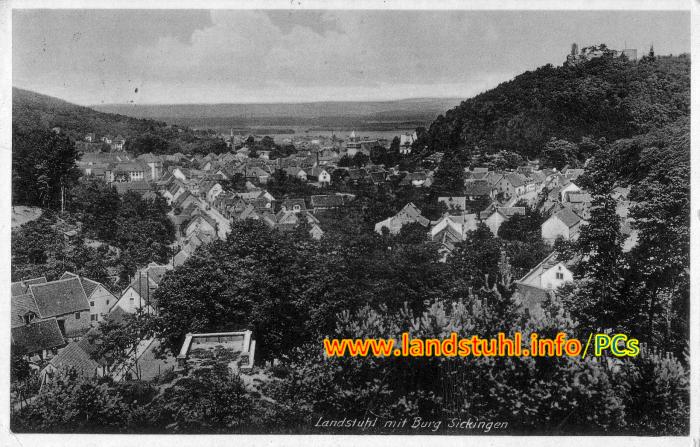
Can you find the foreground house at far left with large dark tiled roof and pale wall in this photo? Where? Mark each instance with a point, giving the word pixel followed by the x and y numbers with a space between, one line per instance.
pixel 66 301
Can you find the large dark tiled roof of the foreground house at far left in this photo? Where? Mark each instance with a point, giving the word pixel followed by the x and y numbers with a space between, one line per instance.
pixel 59 297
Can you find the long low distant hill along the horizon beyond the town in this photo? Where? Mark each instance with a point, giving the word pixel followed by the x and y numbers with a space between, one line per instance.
pixel 315 114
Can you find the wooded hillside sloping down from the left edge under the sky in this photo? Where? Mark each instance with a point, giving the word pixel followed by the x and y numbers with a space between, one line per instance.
pixel 32 110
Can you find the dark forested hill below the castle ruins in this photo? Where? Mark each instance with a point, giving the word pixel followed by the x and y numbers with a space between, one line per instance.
pixel 603 97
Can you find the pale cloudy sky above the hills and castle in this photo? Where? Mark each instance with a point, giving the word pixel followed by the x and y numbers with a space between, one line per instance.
pixel 221 56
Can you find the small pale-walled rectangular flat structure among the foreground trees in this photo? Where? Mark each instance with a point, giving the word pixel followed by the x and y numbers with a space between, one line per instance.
pixel 238 348
